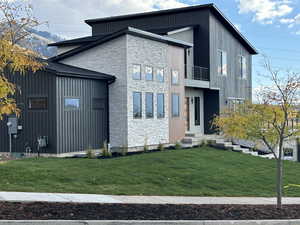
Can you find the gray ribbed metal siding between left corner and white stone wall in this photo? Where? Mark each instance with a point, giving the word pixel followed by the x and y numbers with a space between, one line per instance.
pixel 87 127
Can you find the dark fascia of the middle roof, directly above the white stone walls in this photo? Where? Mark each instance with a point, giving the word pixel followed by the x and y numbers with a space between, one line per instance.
pixel 129 30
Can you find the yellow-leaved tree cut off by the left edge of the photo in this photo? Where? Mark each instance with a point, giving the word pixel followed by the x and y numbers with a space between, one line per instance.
pixel 16 21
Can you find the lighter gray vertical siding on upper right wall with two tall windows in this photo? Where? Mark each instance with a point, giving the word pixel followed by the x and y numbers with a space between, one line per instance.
pixel 231 85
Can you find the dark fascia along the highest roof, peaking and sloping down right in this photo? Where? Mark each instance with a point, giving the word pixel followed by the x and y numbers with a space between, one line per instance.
pixel 211 6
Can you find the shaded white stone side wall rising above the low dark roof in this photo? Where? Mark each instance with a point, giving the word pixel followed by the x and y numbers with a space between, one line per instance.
pixel 110 58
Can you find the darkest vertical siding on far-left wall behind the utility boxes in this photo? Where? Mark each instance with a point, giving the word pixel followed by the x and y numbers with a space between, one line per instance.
pixel 35 122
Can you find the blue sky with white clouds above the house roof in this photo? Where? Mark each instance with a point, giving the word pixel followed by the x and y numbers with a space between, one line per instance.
pixel 272 26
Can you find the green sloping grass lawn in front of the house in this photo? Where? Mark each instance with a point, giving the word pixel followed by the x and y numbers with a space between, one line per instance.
pixel 196 172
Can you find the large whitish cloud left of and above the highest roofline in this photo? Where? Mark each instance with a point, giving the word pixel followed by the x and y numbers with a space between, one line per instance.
pixel 66 17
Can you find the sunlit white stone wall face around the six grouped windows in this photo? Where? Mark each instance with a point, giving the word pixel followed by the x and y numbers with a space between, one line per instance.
pixel 147 53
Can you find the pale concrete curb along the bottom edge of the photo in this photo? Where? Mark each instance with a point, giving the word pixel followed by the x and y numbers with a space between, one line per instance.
pixel 150 222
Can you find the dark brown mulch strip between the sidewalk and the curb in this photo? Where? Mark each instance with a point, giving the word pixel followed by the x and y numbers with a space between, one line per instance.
pixel 72 211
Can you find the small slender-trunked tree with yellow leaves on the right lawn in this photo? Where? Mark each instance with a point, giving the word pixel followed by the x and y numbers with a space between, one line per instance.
pixel 268 121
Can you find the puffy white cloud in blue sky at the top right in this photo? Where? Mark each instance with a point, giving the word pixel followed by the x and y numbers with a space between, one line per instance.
pixel 265 11
